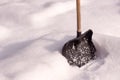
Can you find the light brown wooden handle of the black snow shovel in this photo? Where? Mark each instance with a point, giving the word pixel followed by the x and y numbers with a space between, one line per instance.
pixel 78 16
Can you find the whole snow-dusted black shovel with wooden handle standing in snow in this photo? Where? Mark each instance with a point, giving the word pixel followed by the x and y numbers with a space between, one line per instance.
pixel 80 50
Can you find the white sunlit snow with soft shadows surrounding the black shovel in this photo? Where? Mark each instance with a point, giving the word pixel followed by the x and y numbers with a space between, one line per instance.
pixel 32 33
